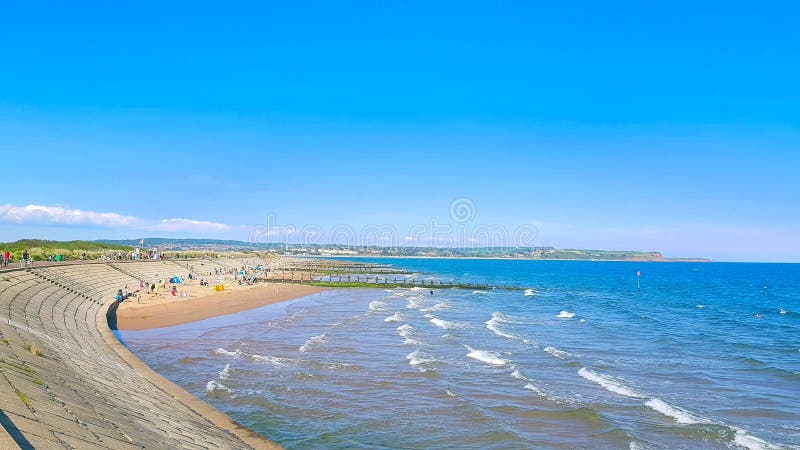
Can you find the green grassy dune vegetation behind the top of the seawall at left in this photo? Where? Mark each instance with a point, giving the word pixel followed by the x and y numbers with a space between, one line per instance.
pixel 40 249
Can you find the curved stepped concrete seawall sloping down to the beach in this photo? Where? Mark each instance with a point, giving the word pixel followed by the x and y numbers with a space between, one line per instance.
pixel 66 382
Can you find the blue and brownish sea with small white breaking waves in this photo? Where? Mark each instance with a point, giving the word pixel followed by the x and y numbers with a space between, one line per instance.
pixel 704 356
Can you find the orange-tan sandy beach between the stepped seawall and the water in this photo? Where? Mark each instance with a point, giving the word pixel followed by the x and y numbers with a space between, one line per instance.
pixel 202 302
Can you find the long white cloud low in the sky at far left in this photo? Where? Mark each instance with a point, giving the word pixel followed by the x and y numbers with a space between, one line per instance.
pixel 40 214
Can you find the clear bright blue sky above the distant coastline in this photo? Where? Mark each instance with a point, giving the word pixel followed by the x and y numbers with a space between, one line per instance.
pixel 670 127
